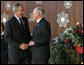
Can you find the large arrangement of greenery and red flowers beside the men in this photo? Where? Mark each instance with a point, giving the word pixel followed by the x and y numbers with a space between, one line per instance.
pixel 67 45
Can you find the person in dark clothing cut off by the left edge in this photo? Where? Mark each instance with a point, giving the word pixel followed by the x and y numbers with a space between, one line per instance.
pixel 4 47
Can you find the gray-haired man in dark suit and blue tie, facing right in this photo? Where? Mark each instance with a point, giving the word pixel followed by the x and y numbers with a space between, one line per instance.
pixel 17 35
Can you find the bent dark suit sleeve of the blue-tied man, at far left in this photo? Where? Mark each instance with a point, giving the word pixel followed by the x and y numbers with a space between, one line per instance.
pixel 9 35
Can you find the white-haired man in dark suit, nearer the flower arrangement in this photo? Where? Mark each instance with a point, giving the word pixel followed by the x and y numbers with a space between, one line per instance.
pixel 41 37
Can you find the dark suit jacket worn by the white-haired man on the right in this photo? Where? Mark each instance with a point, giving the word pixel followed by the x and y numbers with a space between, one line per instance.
pixel 41 37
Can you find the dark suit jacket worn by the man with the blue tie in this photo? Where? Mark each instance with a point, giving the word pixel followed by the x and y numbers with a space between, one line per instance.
pixel 14 35
